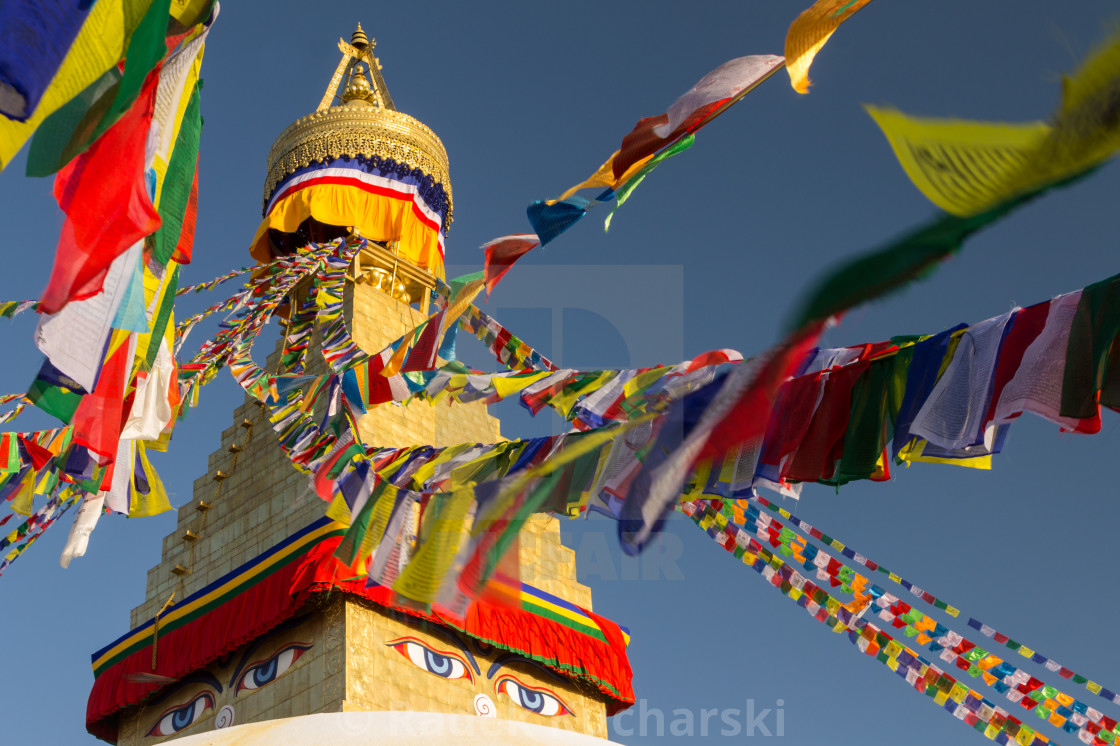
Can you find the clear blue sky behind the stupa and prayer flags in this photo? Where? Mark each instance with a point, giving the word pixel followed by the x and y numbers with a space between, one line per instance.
pixel 711 253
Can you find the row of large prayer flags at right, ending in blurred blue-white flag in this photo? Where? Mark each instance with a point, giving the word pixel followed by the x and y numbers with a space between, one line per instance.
pixel 833 424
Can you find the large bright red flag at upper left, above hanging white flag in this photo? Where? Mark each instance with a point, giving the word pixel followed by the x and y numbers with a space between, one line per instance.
pixel 107 204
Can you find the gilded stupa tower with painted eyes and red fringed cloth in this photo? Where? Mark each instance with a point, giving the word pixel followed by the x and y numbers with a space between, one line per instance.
pixel 248 619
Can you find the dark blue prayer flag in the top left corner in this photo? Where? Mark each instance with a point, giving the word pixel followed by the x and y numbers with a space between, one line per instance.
pixel 39 35
